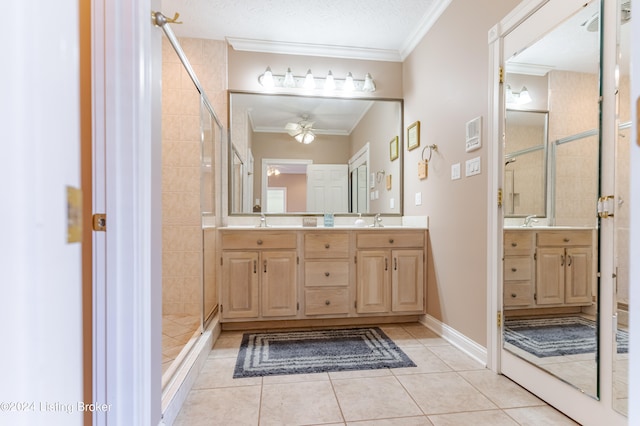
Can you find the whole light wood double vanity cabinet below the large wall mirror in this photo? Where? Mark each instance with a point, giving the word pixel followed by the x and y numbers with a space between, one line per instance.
pixel 321 275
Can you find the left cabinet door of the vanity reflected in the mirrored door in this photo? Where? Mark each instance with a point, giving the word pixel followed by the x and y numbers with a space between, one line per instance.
pixel 550 276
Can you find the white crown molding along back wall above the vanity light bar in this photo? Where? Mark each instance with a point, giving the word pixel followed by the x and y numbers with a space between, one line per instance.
pixel 305 49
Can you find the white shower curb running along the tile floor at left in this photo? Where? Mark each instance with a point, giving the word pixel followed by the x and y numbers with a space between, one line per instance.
pixel 175 393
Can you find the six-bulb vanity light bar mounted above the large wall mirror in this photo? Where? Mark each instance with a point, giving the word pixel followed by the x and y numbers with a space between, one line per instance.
pixel 329 84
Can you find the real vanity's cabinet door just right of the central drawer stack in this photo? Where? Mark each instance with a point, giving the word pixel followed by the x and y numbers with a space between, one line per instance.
pixel 373 287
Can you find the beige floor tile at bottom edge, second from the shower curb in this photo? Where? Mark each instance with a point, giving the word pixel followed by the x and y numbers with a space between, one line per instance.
pixel 302 403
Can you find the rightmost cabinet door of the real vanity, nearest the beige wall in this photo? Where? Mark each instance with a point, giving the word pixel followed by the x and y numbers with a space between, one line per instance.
pixel 407 281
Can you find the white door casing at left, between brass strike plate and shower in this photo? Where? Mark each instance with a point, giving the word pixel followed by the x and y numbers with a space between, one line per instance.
pixel 127 258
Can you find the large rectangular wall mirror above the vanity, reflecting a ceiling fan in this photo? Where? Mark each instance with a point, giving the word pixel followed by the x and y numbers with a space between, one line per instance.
pixel 313 155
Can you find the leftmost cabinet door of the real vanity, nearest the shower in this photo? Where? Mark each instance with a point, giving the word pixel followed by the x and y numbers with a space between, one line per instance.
pixel 240 285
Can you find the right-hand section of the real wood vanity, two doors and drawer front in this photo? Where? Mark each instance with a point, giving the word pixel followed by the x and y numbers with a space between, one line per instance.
pixel 390 272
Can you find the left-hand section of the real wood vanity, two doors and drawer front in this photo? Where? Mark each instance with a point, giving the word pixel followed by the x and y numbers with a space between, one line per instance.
pixel 259 283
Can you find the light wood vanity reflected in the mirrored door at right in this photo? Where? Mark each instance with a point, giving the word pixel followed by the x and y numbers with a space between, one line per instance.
pixel 548 267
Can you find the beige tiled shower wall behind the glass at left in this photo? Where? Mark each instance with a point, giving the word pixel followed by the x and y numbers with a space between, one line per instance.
pixel 181 228
